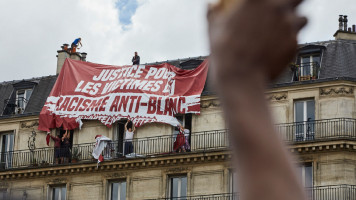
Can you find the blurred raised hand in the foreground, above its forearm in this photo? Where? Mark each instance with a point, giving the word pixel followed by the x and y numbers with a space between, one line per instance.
pixel 253 36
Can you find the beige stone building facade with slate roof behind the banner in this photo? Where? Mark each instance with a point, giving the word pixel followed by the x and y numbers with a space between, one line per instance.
pixel 313 104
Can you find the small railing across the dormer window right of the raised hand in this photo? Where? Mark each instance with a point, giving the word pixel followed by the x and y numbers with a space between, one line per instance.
pixel 306 71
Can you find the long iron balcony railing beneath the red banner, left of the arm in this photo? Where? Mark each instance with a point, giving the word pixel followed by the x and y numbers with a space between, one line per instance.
pixel 144 147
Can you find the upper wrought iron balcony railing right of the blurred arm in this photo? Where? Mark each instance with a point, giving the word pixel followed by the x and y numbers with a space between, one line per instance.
pixel 318 130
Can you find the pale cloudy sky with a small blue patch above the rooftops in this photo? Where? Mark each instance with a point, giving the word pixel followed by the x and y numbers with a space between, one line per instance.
pixel 111 30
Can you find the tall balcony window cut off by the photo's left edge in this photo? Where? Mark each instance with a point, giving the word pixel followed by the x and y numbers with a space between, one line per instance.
pixel 6 148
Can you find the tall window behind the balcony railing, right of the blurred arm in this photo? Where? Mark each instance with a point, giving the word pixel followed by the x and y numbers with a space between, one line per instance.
pixel 304 115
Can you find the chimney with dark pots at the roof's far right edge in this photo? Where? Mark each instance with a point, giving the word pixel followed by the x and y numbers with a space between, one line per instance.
pixel 344 32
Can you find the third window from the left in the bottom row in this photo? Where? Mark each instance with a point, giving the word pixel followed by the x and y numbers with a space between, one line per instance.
pixel 178 187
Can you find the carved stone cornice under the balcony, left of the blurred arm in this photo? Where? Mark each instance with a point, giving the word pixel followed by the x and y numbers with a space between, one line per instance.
pixel 111 166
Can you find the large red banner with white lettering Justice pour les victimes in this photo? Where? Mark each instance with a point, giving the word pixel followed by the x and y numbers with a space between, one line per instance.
pixel 141 93
